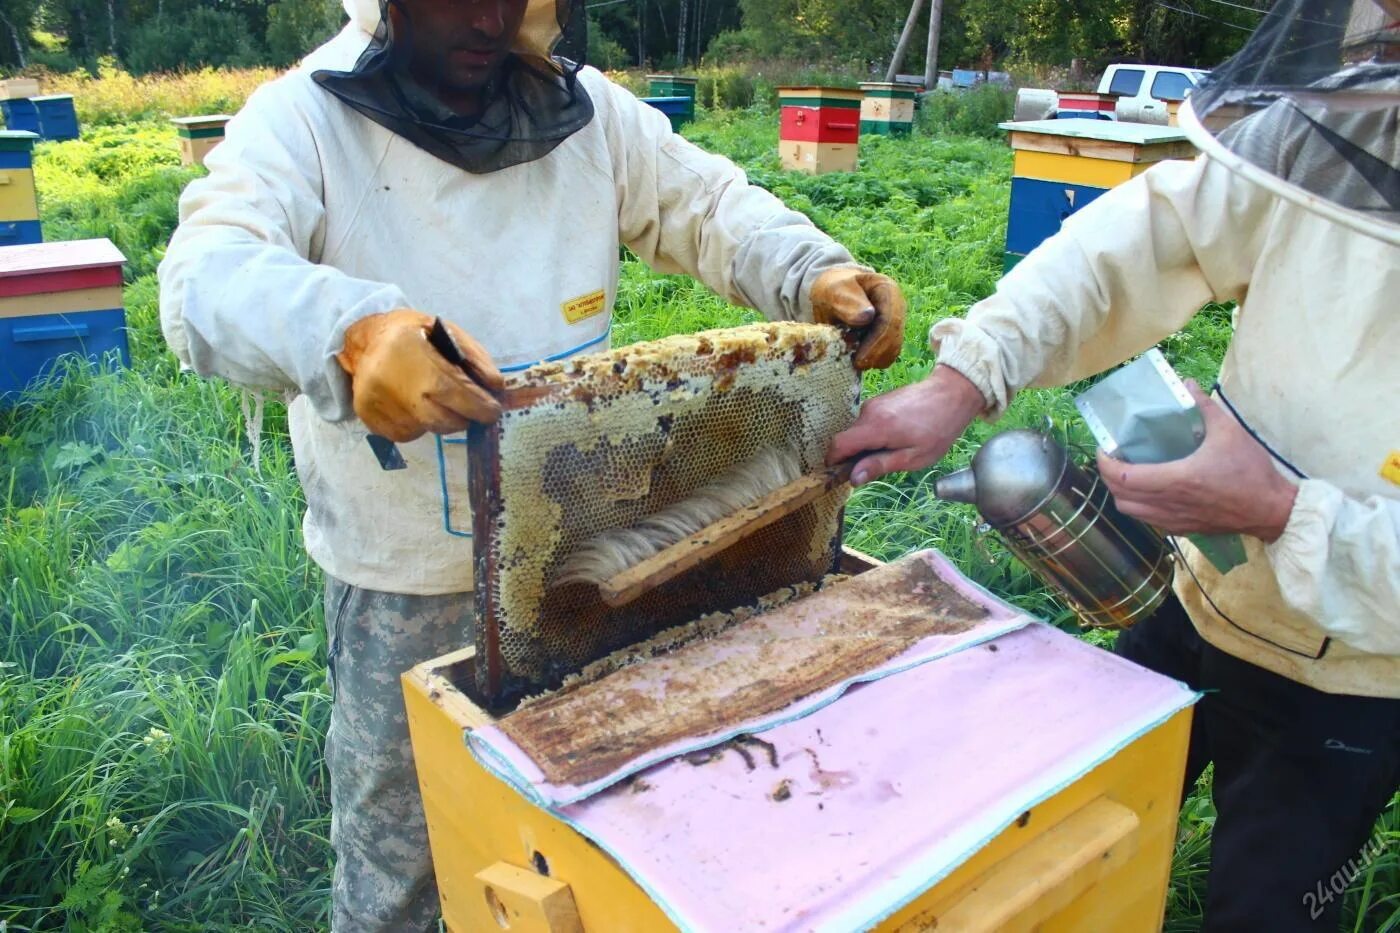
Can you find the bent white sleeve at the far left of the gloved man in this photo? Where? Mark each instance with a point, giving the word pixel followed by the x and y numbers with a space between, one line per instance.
pixel 243 295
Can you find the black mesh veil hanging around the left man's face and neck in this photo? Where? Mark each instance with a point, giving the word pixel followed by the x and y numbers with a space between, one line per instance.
pixel 531 107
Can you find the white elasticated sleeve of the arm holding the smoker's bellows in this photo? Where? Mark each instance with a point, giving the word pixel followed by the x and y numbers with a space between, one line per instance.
pixel 1339 564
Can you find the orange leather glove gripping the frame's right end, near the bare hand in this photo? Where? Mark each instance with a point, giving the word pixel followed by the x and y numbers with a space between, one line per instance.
pixel 864 302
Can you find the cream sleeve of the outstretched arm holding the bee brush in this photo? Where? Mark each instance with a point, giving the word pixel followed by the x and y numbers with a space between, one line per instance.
pixel 1122 275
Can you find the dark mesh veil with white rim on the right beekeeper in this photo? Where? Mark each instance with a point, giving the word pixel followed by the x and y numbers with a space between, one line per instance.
pixel 1311 110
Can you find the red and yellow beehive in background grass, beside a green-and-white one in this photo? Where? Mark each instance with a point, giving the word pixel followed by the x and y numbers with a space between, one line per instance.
pixel 821 130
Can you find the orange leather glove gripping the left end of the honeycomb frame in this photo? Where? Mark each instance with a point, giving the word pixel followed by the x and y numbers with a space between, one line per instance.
pixel 402 387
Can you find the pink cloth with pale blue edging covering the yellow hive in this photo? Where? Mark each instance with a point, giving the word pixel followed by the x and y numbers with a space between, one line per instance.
pixel 848 810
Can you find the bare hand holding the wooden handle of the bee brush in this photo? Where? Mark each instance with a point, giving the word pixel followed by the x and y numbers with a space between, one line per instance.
pixel 911 428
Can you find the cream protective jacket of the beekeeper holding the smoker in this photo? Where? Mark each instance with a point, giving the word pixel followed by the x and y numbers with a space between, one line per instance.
pixel 1296 215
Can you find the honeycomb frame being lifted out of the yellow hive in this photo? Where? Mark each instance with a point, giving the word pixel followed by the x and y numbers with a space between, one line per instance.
pixel 605 441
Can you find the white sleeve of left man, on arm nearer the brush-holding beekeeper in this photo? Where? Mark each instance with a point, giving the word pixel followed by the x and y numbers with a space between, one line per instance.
pixel 685 211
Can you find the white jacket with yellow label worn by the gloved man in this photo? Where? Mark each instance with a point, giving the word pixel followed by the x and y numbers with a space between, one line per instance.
pixel 314 216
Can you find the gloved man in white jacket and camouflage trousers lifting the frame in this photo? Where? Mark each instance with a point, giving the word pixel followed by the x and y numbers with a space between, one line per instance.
pixel 436 159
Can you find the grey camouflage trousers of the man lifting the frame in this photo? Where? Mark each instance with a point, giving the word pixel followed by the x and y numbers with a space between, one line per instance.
pixel 384 872
